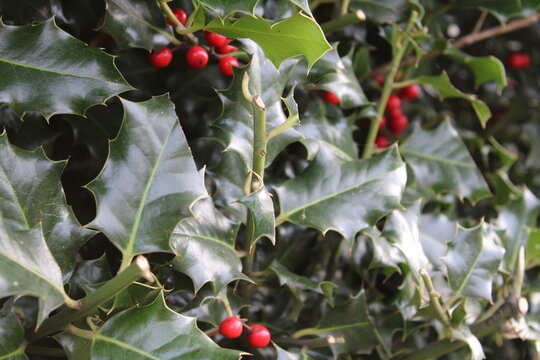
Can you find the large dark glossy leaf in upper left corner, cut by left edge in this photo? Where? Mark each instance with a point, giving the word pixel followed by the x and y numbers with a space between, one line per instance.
pixel 46 70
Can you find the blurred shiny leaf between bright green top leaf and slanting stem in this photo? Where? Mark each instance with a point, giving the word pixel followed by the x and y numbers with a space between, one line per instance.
pixel 340 79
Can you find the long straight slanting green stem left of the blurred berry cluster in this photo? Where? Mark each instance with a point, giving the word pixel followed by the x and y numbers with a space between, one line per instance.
pixel 401 47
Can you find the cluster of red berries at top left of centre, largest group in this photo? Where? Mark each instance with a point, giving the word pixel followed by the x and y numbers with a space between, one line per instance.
pixel 197 56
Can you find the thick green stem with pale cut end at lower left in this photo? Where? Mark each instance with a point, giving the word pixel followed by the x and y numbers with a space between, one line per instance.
pixel 139 268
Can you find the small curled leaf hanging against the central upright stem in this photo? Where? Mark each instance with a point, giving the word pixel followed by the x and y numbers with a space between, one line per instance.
pixel 261 207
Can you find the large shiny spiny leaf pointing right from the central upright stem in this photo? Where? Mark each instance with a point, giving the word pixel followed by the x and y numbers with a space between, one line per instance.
pixel 343 195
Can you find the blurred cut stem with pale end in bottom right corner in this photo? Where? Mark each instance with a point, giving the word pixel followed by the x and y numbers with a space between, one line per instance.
pixel 513 307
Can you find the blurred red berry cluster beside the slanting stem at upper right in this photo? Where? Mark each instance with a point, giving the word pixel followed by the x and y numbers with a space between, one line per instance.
pixel 394 118
